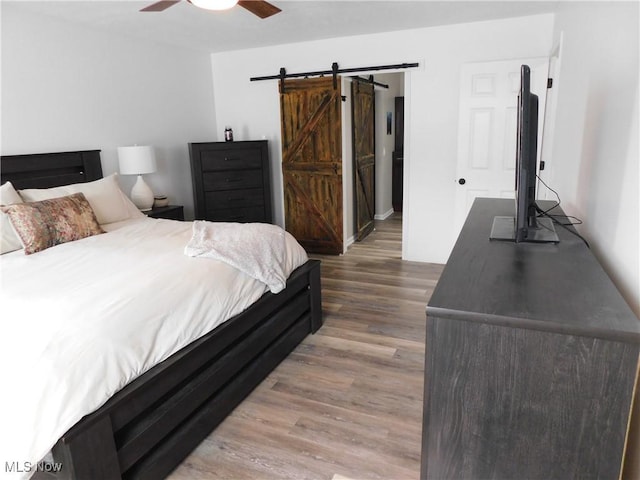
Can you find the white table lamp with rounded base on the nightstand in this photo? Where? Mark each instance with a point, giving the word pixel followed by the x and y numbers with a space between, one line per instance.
pixel 138 160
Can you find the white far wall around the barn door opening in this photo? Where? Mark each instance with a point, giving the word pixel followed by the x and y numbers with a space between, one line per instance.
pixel 430 153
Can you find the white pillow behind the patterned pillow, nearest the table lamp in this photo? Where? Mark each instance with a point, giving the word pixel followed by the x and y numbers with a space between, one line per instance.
pixel 105 197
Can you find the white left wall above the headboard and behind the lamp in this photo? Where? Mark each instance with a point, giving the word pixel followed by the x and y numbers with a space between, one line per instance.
pixel 67 87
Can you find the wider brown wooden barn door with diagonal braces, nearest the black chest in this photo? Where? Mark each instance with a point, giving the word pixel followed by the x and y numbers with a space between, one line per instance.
pixel 310 113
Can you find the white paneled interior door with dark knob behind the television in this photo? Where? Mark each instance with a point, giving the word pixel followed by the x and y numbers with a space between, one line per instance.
pixel 487 128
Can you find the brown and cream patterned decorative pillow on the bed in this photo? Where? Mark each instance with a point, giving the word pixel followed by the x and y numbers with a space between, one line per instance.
pixel 46 223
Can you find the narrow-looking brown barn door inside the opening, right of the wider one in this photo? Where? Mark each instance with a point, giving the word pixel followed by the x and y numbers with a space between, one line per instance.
pixel 364 156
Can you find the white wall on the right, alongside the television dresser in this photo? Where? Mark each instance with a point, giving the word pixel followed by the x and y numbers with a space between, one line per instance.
pixel 595 151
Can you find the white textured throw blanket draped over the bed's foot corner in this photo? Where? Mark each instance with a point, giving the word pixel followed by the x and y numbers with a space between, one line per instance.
pixel 263 251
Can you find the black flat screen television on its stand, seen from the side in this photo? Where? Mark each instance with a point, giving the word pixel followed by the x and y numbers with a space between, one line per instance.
pixel 526 225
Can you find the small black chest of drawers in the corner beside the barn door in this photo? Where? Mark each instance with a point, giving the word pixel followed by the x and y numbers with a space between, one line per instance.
pixel 231 181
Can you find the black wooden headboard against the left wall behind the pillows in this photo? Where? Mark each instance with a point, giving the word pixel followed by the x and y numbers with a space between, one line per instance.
pixel 45 170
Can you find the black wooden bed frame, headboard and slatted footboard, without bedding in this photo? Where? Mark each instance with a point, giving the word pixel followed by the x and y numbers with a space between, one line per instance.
pixel 146 430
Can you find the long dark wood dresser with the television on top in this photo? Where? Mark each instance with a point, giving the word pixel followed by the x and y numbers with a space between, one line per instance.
pixel 531 360
